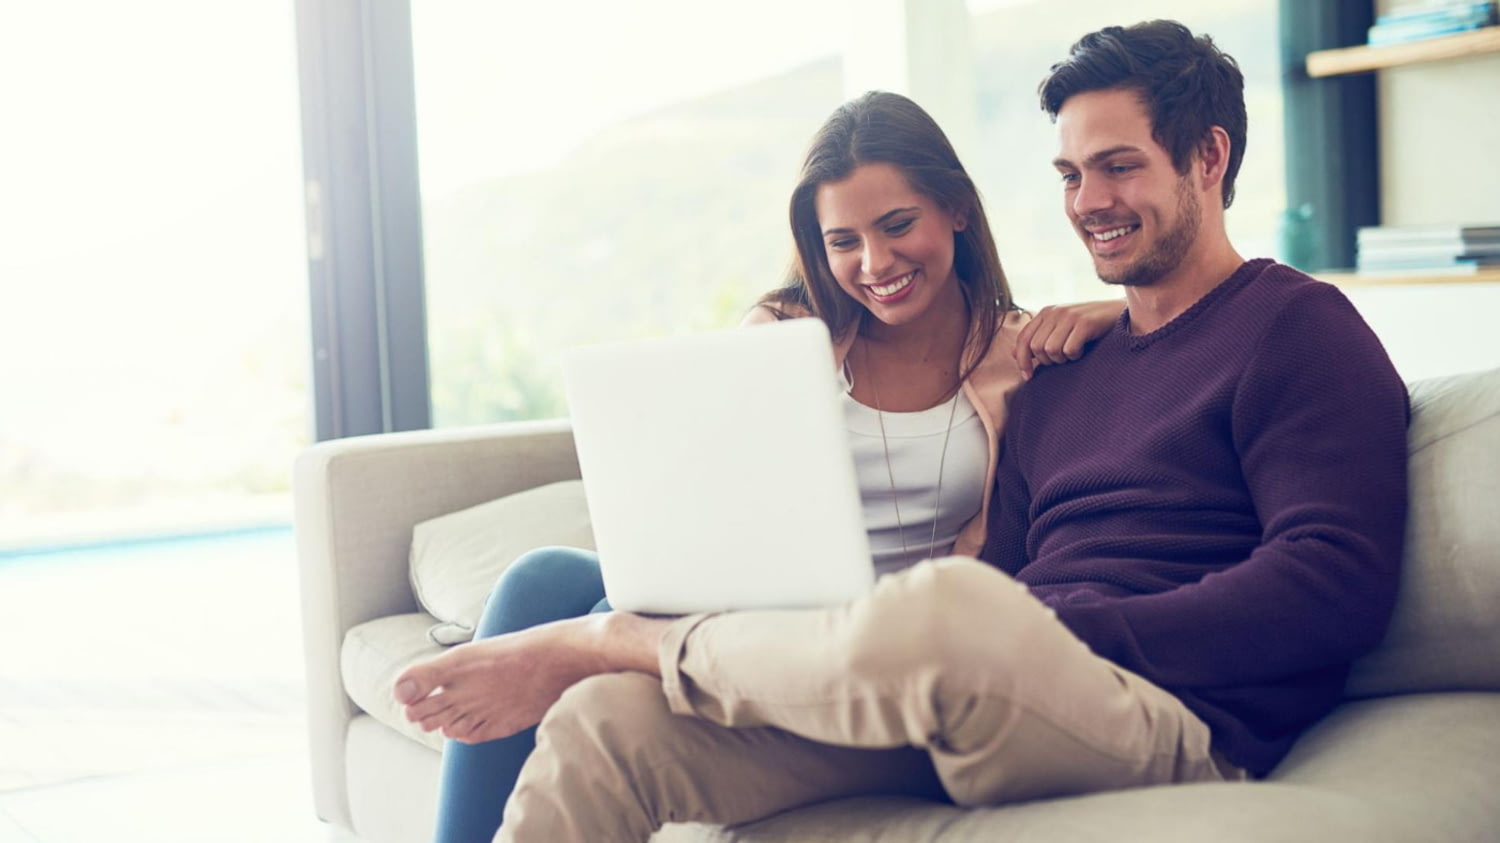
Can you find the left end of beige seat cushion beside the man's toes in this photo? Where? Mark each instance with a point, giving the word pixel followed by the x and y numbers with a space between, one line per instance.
pixel 374 655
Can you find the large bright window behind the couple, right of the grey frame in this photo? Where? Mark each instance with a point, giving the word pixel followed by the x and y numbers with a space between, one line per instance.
pixel 598 170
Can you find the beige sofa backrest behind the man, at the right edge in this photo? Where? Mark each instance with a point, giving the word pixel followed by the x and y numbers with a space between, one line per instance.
pixel 1447 628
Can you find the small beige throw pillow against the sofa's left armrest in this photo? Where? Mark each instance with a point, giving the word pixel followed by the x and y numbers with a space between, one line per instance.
pixel 458 557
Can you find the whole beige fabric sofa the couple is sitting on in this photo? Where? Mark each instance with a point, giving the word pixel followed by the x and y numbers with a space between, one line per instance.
pixel 1414 755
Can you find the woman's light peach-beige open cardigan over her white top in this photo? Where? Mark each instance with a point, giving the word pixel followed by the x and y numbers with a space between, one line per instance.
pixel 989 389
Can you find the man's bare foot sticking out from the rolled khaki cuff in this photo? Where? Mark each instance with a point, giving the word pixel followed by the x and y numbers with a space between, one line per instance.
pixel 499 686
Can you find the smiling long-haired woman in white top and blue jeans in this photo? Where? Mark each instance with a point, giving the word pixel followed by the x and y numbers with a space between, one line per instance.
pixel 896 256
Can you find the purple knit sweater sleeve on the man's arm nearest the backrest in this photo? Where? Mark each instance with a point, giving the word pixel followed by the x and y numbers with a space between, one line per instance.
pixel 1319 422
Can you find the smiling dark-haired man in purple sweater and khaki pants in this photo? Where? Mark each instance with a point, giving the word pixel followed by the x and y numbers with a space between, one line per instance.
pixel 1196 529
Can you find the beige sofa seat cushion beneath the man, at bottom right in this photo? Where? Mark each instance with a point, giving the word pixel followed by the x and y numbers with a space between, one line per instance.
pixel 1384 770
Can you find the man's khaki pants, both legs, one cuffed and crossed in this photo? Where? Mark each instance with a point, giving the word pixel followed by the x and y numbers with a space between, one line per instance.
pixel 947 682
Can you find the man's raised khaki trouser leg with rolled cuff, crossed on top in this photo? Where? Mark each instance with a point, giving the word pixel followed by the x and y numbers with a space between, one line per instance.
pixel 953 658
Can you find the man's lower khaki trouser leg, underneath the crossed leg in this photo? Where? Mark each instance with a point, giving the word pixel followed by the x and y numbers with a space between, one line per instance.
pixel 613 763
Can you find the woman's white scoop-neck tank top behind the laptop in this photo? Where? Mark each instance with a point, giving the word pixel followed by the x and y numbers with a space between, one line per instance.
pixel 916 443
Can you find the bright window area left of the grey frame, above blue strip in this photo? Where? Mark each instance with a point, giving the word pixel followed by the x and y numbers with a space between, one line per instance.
pixel 154 325
